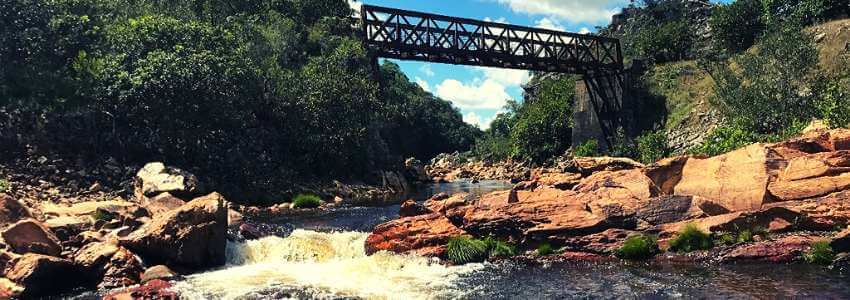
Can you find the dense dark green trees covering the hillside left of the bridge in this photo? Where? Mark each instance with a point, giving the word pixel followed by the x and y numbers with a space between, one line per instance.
pixel 256 95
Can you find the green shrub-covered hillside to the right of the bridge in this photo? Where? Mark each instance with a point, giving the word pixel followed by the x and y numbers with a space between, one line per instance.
pixel 728 75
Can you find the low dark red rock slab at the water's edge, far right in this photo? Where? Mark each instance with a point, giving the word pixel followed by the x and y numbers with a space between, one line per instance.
pixel 783 250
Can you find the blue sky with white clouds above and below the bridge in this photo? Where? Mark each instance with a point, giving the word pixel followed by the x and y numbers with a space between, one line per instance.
pixel 479 92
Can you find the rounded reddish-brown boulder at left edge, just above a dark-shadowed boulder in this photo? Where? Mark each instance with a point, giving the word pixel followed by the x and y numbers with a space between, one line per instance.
pixel 30 236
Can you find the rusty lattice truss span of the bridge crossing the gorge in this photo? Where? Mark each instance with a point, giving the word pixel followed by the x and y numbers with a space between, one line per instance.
pixel 409 35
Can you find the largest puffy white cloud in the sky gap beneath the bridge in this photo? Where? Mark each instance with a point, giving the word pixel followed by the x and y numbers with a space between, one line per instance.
pixel 486 94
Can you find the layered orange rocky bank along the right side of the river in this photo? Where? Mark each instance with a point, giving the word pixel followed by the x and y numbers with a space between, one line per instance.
pixel 795 192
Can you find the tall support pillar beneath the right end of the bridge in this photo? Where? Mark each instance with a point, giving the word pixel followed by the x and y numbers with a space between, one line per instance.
pixel 598 110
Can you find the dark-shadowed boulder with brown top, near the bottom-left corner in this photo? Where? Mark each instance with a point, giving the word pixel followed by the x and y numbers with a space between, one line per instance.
pixel 41 275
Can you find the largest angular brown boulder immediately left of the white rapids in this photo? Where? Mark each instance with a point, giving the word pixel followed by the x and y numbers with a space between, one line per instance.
pixel 192 236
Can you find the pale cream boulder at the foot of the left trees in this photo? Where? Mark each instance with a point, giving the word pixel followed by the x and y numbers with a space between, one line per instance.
pixel 155 178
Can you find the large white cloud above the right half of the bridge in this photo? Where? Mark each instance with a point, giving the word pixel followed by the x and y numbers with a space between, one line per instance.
pixel 575 11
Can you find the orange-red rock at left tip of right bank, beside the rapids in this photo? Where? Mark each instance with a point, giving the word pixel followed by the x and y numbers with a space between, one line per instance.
pixel 412 233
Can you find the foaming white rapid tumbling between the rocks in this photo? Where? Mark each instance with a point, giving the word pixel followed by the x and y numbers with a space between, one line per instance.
pixel 324 265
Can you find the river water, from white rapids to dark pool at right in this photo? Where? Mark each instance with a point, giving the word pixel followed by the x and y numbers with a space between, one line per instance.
pixel 323 258
